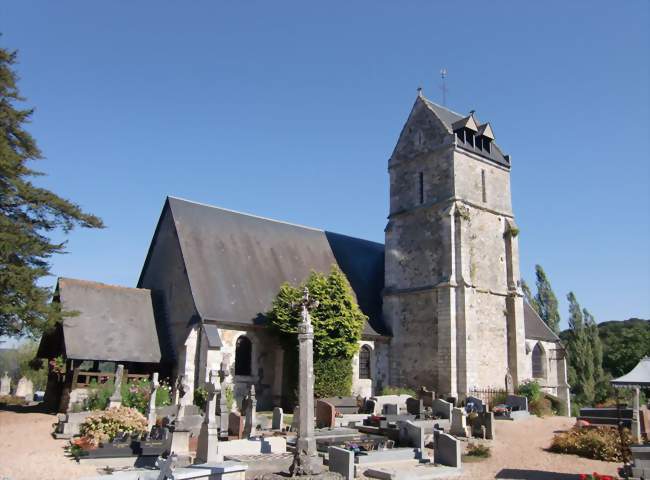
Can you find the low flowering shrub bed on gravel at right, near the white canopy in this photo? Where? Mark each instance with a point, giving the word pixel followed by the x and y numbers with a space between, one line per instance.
pixel 598 443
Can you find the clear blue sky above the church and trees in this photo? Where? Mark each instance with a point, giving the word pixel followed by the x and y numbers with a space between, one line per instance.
pixel 290 110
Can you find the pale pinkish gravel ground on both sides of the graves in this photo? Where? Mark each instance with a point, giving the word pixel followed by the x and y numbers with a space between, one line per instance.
pixel 28 452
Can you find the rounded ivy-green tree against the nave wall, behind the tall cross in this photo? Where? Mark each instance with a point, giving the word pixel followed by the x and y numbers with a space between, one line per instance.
pixel 338 322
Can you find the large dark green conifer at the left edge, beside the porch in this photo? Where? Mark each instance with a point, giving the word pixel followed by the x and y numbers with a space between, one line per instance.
pixel 28 216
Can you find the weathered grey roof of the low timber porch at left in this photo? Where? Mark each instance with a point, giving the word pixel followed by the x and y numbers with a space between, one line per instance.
pixel 111 323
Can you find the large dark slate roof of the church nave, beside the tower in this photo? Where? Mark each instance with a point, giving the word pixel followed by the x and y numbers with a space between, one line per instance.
pixel 237 262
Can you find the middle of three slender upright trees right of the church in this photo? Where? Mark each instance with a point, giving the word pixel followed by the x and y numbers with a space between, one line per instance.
pixel 580 354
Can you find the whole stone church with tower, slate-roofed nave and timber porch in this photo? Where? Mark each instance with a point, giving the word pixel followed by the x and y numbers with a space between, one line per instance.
pixel 442 295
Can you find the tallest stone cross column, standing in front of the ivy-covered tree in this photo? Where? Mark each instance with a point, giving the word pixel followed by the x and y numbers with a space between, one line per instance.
pixel 305 460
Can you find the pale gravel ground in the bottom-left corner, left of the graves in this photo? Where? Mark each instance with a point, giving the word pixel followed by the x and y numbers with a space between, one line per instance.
pixel 28 451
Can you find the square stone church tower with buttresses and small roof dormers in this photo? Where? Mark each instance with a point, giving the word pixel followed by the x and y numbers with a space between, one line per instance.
pixel 452 292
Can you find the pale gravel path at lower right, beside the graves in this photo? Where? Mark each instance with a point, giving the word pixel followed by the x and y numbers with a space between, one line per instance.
pixel 518 453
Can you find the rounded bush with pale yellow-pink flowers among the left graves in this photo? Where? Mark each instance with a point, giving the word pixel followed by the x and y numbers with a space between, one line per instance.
pixel 102 427
